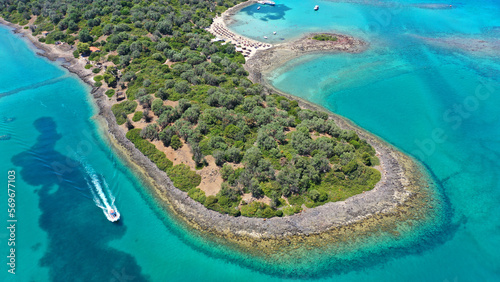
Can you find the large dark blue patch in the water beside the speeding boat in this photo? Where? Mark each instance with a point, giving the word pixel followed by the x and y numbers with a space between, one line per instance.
pixel 77 233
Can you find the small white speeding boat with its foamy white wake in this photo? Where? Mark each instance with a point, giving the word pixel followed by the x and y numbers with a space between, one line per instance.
pixel 101 193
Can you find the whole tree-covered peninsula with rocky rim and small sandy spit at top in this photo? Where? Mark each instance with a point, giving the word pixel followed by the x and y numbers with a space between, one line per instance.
pixel 221 149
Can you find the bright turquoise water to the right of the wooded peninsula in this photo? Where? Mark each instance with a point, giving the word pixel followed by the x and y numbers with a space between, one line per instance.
pixel 425 85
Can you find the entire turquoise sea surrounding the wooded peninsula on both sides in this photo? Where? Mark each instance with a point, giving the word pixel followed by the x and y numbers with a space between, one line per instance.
pixel 428 83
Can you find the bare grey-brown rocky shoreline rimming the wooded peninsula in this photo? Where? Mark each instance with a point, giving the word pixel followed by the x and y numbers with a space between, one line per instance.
pixel 397 197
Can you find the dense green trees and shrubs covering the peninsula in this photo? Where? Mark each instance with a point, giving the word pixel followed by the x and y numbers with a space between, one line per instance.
pixel 157 51
